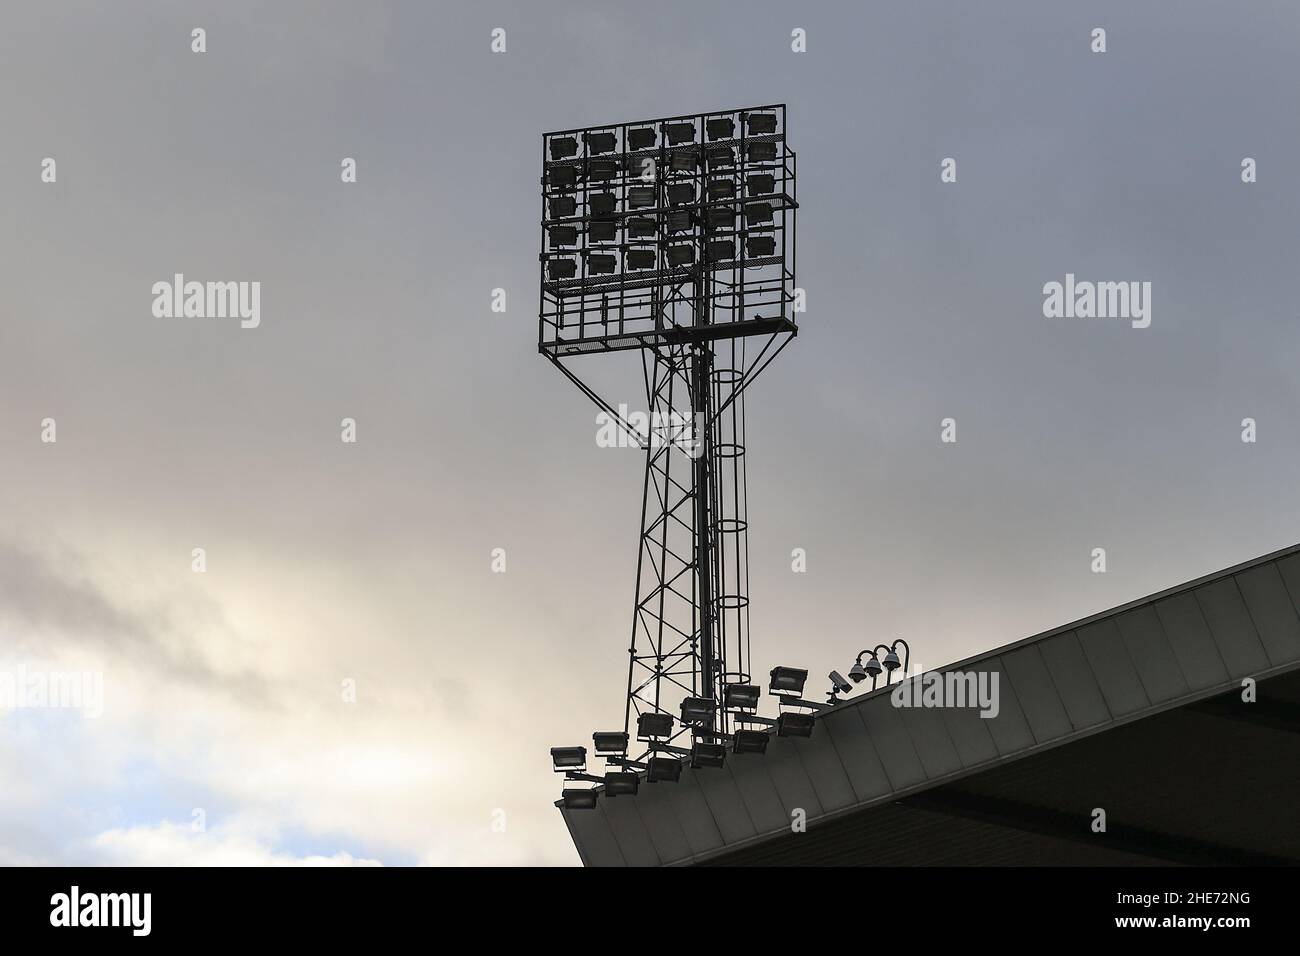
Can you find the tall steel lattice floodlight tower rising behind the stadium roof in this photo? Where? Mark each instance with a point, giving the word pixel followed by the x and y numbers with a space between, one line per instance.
pixel 675 239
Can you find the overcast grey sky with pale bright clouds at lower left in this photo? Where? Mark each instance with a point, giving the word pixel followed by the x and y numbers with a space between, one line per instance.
pixel 371 561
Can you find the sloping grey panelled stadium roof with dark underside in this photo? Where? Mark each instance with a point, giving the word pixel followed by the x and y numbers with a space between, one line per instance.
pixel 1137 711
